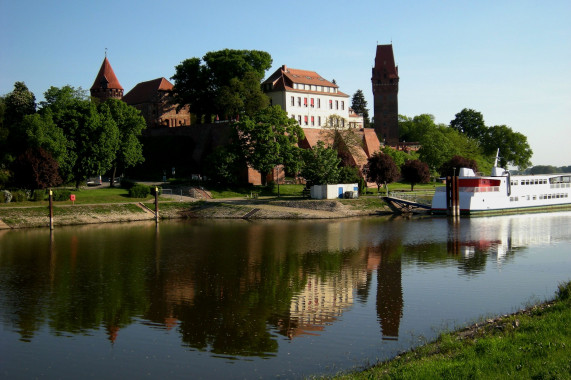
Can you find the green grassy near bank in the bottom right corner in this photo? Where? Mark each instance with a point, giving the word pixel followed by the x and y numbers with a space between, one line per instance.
pixel 532 344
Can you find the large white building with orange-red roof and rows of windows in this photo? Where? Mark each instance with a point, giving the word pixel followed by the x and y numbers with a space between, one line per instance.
pixel 306 96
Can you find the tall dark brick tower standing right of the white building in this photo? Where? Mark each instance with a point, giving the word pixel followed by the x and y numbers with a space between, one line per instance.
pixel 385 82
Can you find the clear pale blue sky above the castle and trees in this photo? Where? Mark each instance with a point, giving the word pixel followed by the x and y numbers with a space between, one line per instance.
pixel 509 60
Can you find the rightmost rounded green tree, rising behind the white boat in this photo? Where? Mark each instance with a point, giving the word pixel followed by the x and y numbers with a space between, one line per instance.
pixel 514 149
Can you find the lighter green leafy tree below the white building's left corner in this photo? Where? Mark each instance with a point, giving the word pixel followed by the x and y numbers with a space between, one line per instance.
pixel 269 139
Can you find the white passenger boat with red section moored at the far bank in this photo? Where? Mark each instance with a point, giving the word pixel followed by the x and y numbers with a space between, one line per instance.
pixel 502 193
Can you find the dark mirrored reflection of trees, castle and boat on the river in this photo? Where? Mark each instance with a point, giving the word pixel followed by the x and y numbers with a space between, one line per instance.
pixel 233 288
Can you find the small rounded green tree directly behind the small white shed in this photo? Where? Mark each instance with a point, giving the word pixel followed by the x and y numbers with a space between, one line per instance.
pixel 321 165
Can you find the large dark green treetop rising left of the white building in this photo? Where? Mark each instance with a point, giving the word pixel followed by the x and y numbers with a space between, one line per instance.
pixel 225 82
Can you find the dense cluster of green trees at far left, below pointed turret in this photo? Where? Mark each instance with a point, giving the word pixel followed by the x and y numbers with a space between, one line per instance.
pixel 66 138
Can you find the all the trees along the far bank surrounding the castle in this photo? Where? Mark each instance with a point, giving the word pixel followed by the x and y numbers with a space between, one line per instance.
pixel 69 137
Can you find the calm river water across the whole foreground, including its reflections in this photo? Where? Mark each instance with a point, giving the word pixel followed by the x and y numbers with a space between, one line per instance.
pixel 263 299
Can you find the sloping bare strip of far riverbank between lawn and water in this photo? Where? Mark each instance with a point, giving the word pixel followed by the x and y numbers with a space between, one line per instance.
pixel 68 215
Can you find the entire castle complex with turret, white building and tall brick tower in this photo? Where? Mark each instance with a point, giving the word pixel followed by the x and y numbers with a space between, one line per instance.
pixel 306 96
